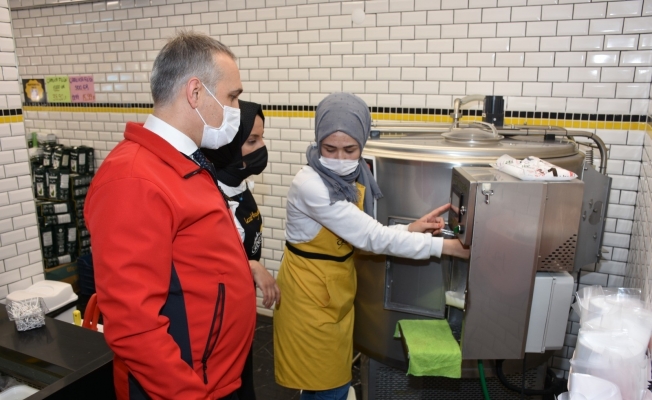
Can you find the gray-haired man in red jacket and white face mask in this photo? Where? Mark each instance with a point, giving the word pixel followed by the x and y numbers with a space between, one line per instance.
pixel 173 281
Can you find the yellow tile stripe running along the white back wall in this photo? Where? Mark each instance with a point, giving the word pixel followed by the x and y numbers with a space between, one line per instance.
pixel 563 123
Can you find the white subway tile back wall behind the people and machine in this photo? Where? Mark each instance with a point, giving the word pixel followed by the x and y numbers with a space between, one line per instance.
pixel 568 56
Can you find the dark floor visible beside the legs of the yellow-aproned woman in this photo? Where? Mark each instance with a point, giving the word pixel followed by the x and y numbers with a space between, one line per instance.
pixel 265 386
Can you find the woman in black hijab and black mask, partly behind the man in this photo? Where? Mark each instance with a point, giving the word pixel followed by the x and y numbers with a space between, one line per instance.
pixel 246 155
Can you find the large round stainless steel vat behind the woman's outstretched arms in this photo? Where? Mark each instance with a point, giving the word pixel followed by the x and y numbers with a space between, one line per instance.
pixel 414 172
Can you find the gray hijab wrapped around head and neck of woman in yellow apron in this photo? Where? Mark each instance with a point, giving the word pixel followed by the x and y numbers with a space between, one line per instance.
pixel 344 112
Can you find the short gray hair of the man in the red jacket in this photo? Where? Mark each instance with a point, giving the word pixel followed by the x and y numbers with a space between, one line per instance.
pixel 185 55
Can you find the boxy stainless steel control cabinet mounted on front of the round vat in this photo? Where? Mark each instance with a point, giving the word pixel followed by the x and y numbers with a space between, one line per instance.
pixel 514 228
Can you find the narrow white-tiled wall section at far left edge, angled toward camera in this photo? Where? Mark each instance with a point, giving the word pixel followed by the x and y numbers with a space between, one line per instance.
pixel 20 249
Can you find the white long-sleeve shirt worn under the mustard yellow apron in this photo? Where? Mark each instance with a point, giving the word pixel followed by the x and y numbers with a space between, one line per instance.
pixel 309 208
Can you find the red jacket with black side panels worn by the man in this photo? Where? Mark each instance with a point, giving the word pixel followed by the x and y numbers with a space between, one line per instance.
pixel 173 281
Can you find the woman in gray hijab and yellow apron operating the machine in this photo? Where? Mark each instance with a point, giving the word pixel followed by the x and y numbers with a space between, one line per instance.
pixel 329 213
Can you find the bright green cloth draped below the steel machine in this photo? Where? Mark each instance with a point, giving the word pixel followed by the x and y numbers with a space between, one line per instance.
pixel 432 349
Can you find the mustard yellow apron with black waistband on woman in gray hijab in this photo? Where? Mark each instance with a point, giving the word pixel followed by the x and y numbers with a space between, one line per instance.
pixel 313 325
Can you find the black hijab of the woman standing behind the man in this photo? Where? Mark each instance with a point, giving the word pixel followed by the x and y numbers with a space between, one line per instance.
pixel 228 159
